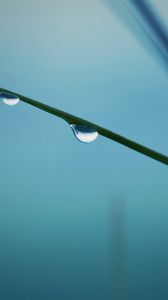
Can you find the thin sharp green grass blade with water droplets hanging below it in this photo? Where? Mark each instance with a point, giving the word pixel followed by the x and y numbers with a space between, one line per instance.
pixel 71 119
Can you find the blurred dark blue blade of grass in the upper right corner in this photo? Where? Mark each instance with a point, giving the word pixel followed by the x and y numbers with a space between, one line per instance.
pixel 144 22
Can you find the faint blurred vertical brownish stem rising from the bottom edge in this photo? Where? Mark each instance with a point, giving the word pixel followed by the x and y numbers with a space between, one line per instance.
pixel 118 248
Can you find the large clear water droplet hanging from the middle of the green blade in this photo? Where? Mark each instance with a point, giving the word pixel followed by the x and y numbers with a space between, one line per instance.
pixel 84 133
